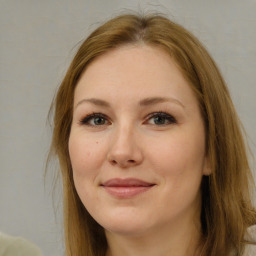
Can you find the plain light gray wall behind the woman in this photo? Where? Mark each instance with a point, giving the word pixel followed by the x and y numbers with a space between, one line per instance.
pixel 37 41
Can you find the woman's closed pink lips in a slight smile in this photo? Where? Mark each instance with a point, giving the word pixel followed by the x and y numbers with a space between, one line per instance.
pixel 126 188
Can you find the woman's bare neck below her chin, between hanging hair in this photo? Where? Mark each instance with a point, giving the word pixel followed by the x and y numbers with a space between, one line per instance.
pixel 178 239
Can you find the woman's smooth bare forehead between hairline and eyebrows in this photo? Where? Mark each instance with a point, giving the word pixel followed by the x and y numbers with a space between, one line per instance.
pixel 133 72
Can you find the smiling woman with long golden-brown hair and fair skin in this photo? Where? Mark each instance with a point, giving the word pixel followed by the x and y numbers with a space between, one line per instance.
pixel 151 152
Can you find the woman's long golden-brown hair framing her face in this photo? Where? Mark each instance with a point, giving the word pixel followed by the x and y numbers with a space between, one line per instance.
pixel 227 209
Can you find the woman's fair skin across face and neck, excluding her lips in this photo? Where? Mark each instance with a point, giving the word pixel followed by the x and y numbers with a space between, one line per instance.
pixel 127 142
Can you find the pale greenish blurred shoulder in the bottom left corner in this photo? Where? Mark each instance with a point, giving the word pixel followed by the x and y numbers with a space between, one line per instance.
pixel 17 246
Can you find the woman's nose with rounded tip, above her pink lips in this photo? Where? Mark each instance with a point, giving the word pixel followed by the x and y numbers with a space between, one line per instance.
pixel 125 150
